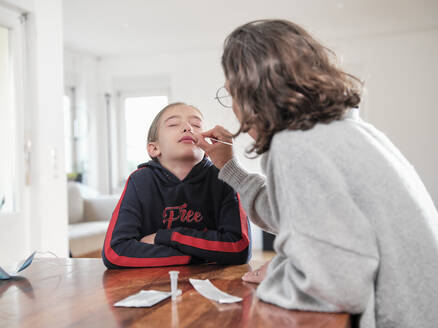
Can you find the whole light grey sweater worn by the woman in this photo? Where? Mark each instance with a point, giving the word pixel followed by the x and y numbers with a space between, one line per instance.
pixel 356 230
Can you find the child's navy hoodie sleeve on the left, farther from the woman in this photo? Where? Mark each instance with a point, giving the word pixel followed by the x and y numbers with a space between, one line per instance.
pixel 122 246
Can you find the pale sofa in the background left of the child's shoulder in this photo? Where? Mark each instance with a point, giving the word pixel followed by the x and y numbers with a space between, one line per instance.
pixel 89 214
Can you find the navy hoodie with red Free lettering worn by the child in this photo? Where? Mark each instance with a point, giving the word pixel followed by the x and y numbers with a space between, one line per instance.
pixel 198 219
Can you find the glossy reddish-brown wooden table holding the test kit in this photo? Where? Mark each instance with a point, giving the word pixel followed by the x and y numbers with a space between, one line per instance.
pixel 81 293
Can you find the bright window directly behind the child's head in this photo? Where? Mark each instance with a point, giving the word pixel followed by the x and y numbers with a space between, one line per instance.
pixel 139 114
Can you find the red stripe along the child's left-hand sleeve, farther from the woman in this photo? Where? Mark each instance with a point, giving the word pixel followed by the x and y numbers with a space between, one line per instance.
pixel 116 259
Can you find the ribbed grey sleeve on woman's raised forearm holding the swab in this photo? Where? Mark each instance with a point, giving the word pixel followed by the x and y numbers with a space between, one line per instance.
pixel 254 193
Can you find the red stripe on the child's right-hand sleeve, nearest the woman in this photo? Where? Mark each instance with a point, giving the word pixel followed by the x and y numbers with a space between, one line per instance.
pixel 219 246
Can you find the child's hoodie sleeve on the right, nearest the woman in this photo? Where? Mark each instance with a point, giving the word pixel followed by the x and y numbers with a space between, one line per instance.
pixel 228 243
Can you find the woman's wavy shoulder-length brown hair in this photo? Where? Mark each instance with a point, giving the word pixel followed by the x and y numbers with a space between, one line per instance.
pixel 281 78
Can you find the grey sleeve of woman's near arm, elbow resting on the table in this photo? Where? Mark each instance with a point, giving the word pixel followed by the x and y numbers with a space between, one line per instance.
pixel 327 255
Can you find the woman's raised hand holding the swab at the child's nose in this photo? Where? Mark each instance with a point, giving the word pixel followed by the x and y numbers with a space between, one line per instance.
pixel 218 152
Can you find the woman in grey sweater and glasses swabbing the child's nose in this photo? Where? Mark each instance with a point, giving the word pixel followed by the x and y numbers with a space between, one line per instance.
pixel 356 230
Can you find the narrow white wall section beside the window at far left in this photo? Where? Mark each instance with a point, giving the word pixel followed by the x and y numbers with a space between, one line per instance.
pixel 48 215
